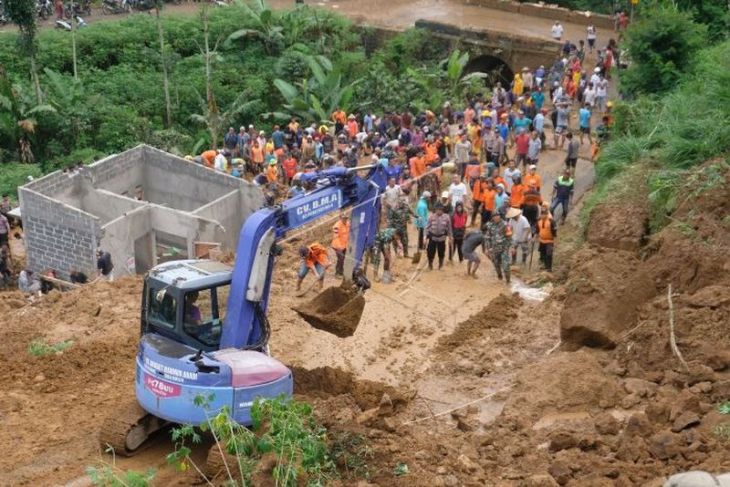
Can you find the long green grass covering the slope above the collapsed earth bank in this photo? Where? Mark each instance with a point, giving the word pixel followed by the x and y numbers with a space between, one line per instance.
pixel 668 135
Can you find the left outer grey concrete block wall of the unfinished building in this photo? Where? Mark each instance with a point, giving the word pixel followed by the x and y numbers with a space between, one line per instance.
pixel 58 236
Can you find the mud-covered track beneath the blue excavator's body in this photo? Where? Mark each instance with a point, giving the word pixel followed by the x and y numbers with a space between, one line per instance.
pixel 127 430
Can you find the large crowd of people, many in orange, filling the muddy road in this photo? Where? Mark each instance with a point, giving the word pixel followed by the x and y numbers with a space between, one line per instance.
pixel 466 177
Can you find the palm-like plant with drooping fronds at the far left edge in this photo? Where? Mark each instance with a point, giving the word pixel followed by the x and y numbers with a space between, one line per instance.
pixel 17 117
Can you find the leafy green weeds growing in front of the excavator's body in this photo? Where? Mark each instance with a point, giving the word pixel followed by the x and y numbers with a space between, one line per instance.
pixel 282 429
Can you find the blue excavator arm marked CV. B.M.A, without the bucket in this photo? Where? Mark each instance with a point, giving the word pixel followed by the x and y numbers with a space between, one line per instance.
pixel 337 188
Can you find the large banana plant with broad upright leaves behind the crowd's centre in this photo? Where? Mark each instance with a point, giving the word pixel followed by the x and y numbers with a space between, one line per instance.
pixel 315 97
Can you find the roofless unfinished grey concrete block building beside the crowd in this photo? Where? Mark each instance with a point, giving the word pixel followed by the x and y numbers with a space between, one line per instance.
pixel 144 206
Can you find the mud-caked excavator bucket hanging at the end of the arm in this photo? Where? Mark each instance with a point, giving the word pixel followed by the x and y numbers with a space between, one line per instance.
pixel 335 310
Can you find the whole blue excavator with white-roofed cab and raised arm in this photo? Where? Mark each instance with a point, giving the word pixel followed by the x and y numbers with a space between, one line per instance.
pixel 204 329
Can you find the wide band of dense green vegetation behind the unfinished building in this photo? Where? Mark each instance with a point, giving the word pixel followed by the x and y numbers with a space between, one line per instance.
pixel 234 66
